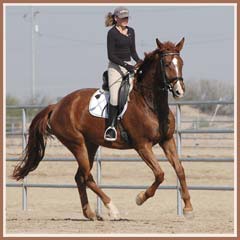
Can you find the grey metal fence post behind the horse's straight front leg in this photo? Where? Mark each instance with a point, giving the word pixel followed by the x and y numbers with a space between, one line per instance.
pixel 179 146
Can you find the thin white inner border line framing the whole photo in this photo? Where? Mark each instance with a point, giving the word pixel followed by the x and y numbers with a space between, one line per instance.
pixel 235 120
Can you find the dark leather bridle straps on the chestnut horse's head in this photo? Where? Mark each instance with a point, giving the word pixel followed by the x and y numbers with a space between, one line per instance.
pixel 166 81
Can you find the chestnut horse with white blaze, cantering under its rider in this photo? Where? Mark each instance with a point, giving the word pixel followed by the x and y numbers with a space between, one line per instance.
pixel 148 121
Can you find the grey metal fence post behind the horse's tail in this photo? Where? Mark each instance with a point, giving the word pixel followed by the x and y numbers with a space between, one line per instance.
pixel 24 187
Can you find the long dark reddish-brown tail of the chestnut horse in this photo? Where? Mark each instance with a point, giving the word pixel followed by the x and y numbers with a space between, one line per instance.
pixel 35 149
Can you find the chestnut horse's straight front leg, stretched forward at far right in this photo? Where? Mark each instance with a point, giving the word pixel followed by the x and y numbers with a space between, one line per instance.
pixel 170 151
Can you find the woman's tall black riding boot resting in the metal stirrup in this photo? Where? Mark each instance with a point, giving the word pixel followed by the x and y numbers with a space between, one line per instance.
pixel 111 132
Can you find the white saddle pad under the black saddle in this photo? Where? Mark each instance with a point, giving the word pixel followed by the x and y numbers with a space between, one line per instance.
pixel 98 104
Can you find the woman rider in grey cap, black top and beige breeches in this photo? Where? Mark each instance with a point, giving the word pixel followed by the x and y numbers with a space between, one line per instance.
pixel 120 47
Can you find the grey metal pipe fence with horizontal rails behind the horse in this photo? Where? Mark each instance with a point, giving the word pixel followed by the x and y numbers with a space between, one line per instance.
pixel 99 159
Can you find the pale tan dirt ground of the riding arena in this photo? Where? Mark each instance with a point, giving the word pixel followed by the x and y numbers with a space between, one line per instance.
pixel 58 210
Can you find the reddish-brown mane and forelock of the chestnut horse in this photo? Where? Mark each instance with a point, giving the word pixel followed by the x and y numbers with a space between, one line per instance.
pixel 149 57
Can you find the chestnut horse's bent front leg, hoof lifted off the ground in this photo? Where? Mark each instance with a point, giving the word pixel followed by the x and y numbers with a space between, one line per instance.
pixel 147 155
